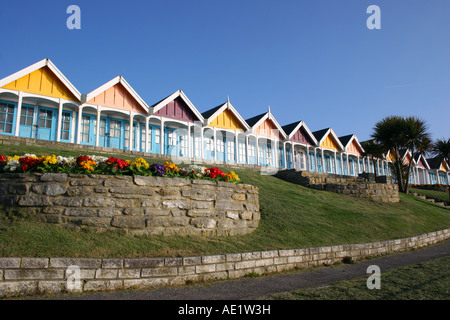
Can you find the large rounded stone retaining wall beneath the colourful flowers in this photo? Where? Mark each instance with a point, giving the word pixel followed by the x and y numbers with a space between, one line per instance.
pixel 133 204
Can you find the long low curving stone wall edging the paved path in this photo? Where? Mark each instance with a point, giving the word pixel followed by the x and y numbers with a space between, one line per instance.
pixel 53 275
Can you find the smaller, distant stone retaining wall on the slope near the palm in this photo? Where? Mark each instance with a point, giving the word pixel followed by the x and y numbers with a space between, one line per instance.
pixel 357 187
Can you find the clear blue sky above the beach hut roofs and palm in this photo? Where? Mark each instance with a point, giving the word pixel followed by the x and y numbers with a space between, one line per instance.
pixel 314 61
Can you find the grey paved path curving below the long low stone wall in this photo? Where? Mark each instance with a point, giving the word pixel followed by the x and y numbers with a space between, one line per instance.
pixel 255 288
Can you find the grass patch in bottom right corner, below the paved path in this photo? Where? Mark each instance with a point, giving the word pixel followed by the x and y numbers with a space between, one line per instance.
pixel 424 281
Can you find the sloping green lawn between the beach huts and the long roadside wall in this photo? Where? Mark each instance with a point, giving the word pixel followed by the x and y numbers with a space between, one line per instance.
pixel 292 216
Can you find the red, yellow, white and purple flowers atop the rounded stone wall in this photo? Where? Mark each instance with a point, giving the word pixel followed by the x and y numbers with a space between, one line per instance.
pixel 92 164
